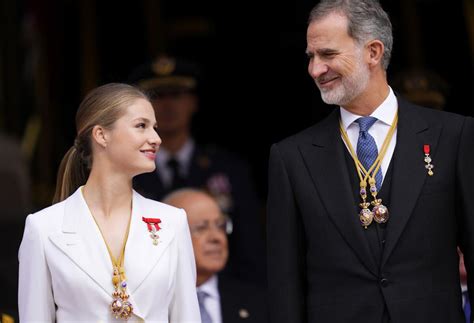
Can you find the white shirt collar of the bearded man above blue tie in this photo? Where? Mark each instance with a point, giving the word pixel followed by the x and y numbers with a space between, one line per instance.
pixel 385 112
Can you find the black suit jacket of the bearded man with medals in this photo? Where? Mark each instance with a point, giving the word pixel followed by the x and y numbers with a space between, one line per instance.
pixel 320 265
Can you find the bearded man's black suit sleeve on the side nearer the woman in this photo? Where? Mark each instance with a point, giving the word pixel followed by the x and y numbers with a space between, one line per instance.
pixel 286 254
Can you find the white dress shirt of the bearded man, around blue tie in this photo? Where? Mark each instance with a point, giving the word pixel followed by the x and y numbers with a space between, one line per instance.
pixel 385 113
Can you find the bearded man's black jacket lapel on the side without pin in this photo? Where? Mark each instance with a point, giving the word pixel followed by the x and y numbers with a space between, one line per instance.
pixel 326 164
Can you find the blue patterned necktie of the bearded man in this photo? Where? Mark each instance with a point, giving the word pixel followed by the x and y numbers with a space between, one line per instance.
pixel 367 148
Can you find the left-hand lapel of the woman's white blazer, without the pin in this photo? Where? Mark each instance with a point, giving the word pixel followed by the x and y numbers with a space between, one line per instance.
pixel 82 242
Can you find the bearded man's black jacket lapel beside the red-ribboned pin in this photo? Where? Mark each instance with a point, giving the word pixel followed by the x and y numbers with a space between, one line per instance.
pixel 409 171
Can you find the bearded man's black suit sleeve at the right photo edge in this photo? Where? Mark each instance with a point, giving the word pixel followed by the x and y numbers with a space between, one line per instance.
pixel 465 186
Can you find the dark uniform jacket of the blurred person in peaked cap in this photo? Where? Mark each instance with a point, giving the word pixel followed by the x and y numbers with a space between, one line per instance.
pixel 246 243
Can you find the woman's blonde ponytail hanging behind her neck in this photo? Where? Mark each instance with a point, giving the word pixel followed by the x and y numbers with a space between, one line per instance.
pixel 72 173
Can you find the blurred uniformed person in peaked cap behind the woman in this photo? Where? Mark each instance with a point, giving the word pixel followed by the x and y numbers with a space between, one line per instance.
pixel 172 84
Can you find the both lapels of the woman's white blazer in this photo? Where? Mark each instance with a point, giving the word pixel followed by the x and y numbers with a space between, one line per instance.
pixel 82 242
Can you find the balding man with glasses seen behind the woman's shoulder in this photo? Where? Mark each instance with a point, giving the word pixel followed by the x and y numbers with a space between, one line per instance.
pixel 221 299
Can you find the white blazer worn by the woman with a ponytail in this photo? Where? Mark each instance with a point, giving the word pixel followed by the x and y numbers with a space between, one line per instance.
pixel 66 272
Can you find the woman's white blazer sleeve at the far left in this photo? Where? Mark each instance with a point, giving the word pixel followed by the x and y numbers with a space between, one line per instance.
pixel 35 295
